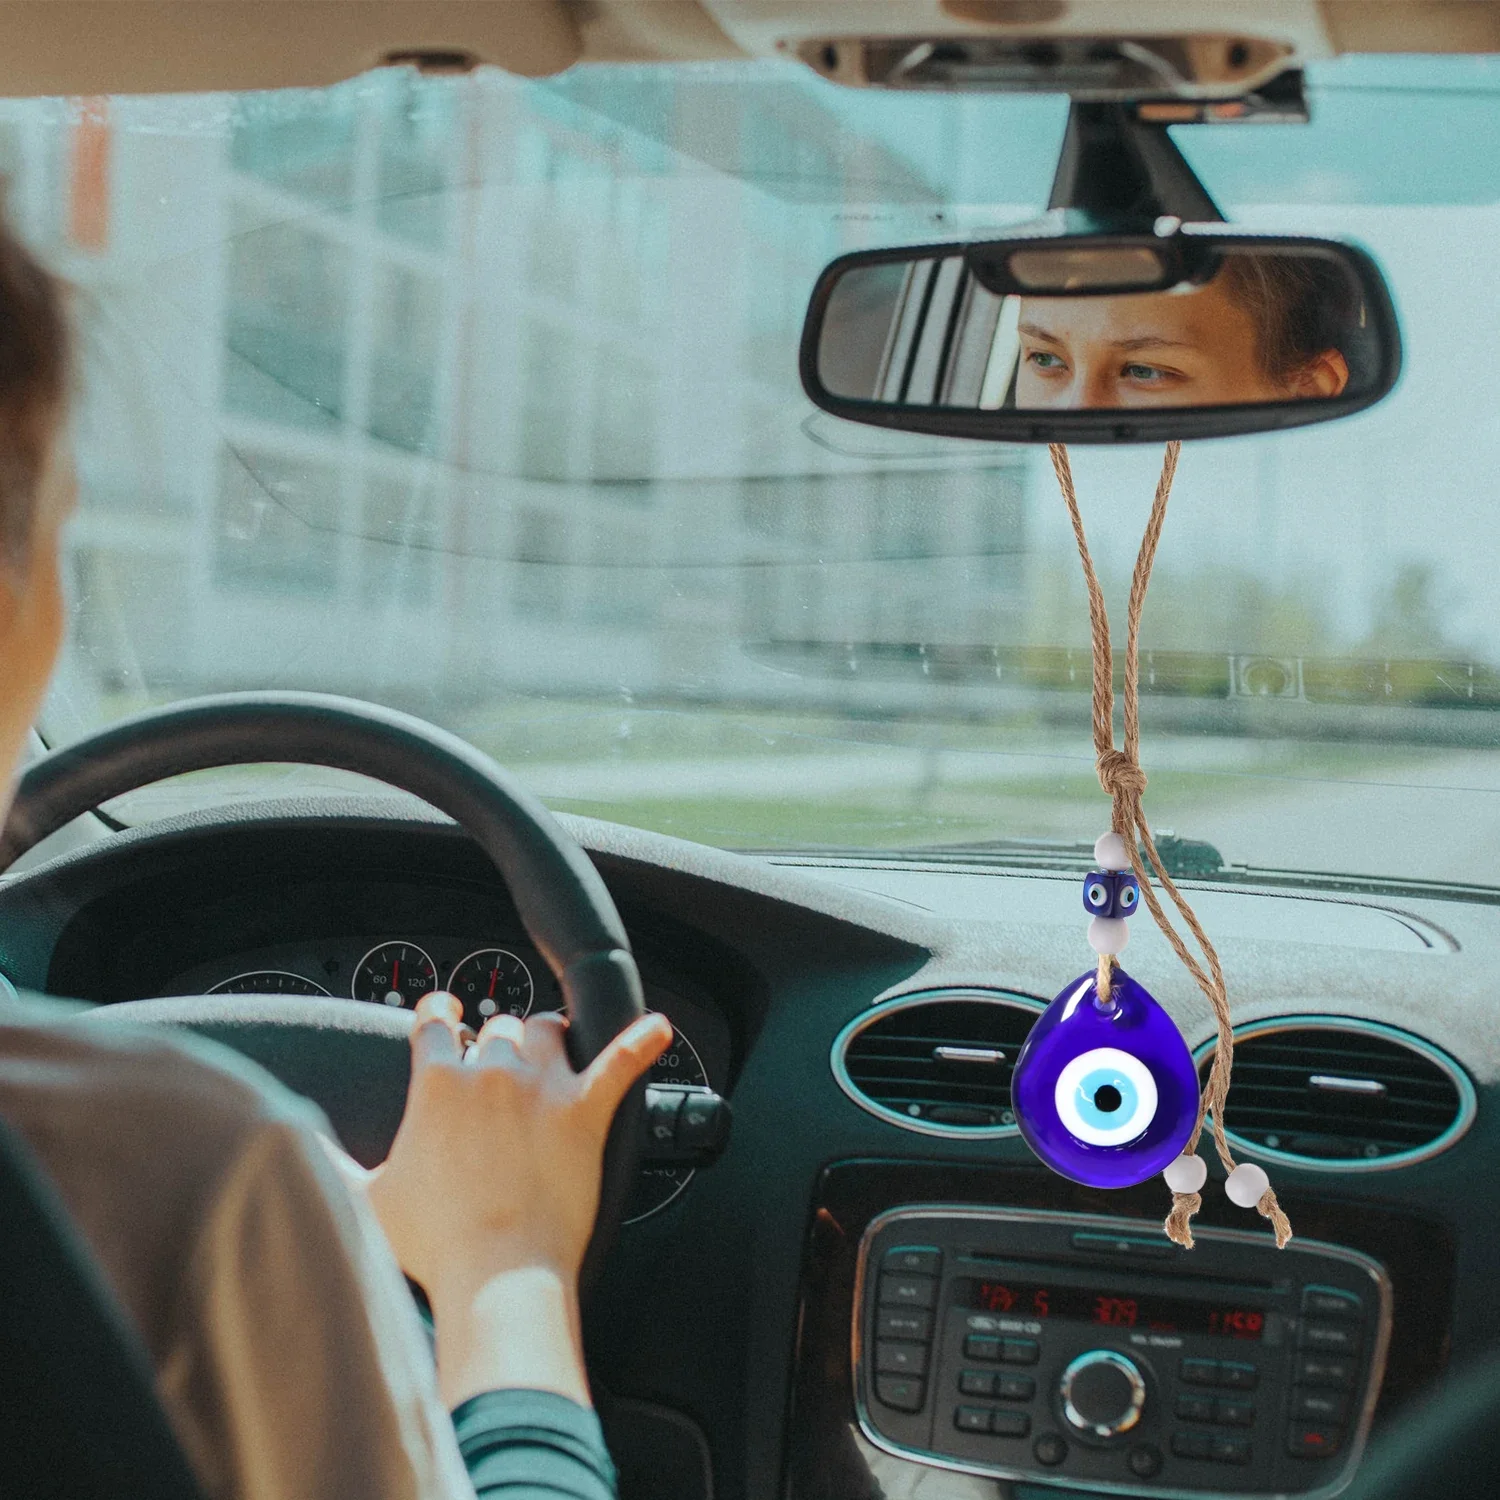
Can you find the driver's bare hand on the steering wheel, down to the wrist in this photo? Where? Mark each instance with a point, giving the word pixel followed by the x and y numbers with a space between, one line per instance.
pixel 499 1157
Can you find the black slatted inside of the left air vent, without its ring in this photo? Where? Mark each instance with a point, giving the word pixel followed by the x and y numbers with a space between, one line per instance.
pixel 892 1061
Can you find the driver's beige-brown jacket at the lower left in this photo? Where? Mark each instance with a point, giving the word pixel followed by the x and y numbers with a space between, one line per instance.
pixel 289 1354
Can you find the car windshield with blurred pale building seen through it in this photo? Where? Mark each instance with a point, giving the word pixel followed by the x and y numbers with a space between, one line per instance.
pixel 479 398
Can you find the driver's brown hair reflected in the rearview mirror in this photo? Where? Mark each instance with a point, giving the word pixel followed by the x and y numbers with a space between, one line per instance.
pixel 1303 307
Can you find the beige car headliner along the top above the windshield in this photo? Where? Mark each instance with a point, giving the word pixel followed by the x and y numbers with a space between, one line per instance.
pixel 94 47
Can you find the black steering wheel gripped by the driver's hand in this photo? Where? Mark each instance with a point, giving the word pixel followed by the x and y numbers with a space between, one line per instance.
pixel 355 1060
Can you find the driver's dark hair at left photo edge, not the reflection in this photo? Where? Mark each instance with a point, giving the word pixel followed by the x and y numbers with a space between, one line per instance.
pixel 35 362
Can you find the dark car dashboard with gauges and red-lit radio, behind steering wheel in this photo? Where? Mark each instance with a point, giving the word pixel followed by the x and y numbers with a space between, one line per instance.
pixel 746 1340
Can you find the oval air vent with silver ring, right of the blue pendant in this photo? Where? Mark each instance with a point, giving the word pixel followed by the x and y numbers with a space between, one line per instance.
pixel 1340 1094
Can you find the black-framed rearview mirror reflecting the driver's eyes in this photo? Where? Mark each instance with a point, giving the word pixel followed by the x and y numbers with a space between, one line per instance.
pixel 1117 338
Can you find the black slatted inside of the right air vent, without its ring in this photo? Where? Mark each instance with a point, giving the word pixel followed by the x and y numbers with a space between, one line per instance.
pixel 1273 1105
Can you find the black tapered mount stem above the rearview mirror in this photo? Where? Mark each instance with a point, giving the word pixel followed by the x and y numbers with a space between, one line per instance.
pixel 1117 170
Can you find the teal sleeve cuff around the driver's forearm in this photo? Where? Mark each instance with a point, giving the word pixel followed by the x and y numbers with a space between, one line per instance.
pixel 533 1445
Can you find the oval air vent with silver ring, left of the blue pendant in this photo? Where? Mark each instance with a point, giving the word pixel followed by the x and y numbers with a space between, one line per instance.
pixel 938 1063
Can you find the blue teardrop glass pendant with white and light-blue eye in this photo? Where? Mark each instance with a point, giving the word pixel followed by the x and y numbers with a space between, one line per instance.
pixel 1106 1094
